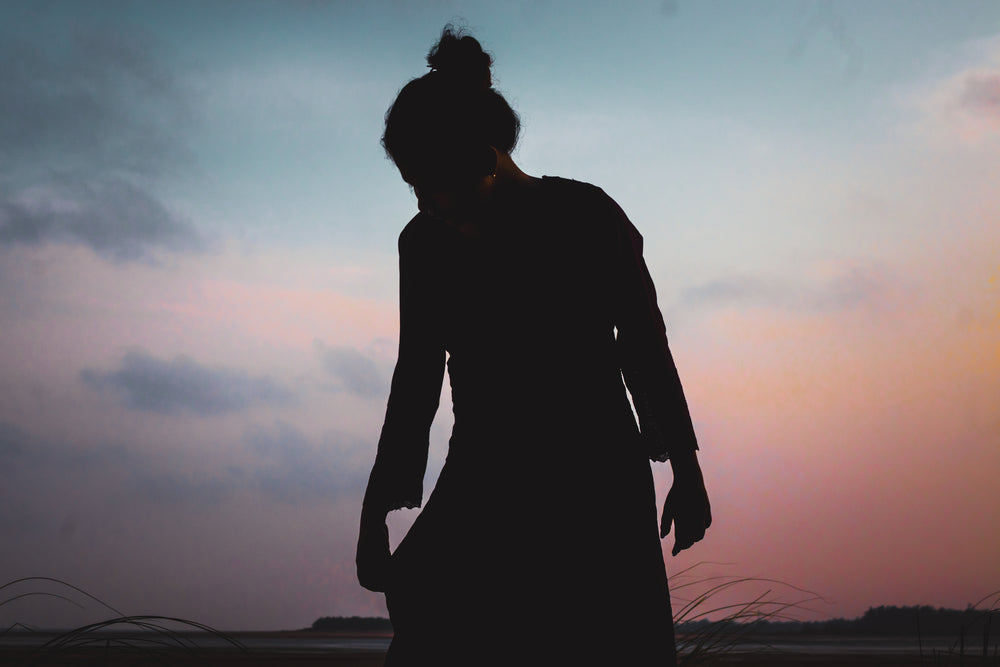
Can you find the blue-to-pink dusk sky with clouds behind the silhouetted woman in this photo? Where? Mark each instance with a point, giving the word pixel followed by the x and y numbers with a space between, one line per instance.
pixel 198 287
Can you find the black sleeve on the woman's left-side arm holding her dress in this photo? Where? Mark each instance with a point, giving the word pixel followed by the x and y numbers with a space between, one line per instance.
pixel 397 476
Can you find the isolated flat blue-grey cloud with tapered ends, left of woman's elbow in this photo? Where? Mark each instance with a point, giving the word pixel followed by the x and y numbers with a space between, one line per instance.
pixel 184 386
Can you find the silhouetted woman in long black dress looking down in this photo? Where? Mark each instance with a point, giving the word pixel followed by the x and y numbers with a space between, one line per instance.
pixel 539 543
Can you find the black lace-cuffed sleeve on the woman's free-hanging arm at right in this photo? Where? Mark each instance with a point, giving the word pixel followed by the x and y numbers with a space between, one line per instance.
pixel 647 364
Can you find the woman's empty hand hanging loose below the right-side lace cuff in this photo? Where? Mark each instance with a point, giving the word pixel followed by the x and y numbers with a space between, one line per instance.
pixel 687 505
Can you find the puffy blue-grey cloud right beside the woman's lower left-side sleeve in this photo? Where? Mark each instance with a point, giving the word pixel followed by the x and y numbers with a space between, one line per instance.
pixel 296 471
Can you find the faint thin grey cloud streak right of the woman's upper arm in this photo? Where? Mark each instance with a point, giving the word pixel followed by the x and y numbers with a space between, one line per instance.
pixel 856 286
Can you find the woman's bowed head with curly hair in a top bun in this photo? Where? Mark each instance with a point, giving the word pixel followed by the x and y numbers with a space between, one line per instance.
pixel 445 127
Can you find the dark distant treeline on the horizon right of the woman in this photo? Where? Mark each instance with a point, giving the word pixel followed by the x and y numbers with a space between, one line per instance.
pixel 892 620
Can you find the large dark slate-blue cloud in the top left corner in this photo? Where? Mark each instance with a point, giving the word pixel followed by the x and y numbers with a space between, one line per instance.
pixel 92 99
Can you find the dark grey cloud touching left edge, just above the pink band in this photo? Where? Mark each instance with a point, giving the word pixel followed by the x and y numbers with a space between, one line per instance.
pixel 117 219
